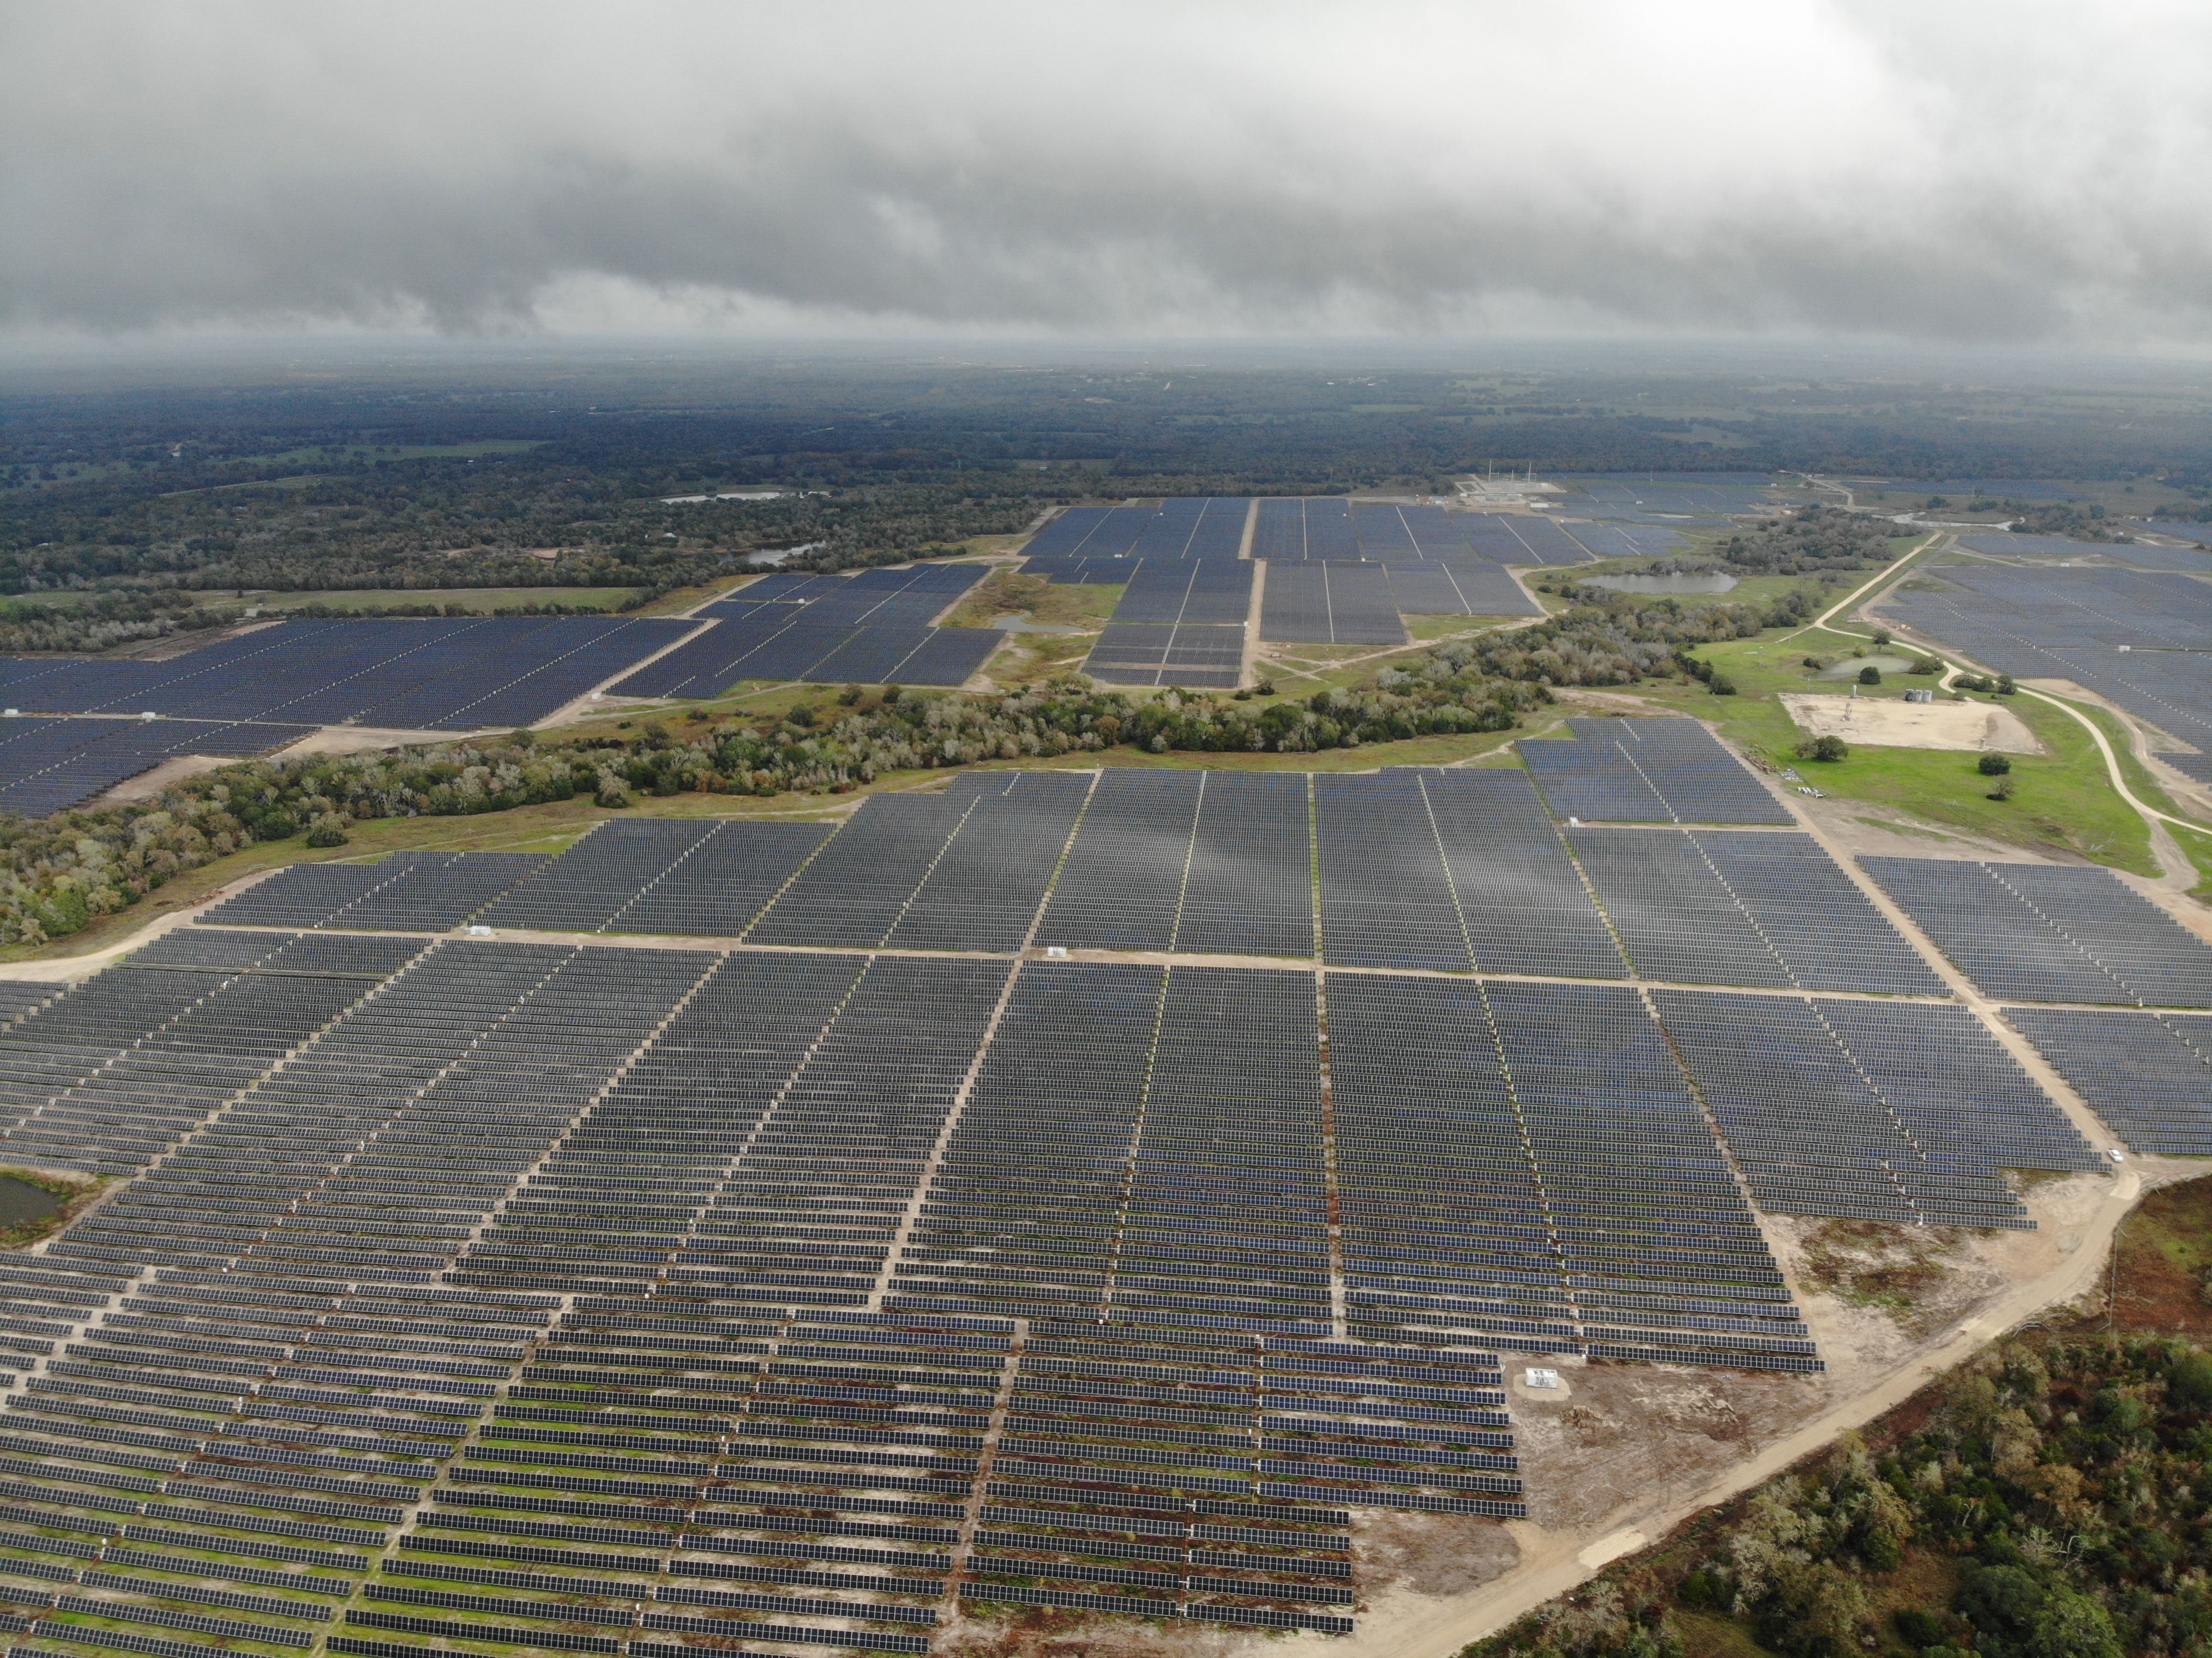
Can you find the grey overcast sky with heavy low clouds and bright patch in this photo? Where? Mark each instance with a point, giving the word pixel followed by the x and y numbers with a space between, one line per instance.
pixel 2007 171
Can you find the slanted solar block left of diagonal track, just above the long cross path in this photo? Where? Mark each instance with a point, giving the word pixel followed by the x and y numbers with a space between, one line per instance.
pixel 1746 907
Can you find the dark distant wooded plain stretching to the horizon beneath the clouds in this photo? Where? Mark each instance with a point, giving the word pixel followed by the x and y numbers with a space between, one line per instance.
pixel 437 479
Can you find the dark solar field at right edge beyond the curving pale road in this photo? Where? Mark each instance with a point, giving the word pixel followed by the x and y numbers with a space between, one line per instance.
pixel 2129 636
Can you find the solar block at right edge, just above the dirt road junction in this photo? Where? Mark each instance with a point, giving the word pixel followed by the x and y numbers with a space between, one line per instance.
pixel 2145 1073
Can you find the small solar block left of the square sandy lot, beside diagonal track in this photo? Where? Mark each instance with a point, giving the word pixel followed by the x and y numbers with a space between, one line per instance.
pixel 1647 770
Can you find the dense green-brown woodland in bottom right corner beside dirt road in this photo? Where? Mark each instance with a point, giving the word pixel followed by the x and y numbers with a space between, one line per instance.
pixel 2049 1504
